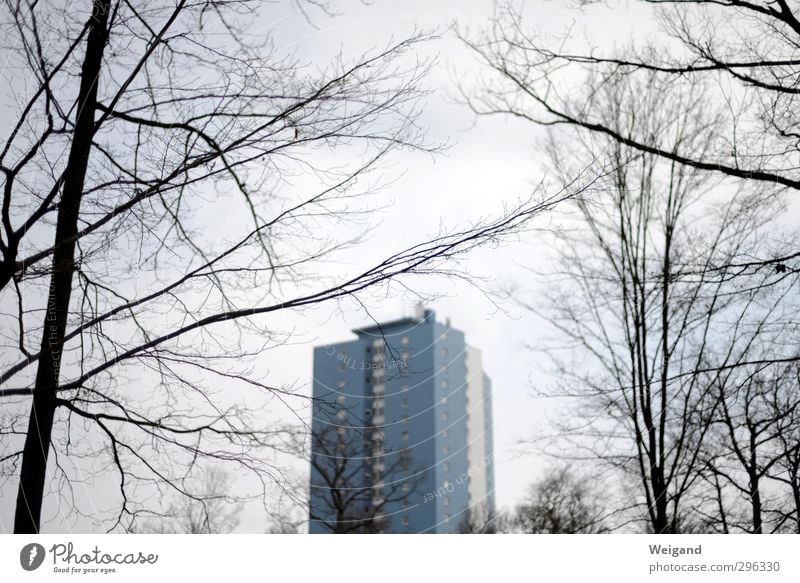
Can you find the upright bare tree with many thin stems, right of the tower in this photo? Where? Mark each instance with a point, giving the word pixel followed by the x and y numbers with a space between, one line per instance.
pixel 656 336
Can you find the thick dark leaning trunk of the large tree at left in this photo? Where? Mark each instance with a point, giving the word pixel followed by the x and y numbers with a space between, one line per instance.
pixel 37 441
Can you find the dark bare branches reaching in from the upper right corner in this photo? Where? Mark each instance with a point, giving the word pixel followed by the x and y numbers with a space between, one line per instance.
pixel 741 51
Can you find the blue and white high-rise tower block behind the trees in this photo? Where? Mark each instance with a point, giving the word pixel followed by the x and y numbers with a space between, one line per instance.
pixel 401 431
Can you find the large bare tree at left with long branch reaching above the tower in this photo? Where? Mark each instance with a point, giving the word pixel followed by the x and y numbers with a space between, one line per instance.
pixel 136 316
